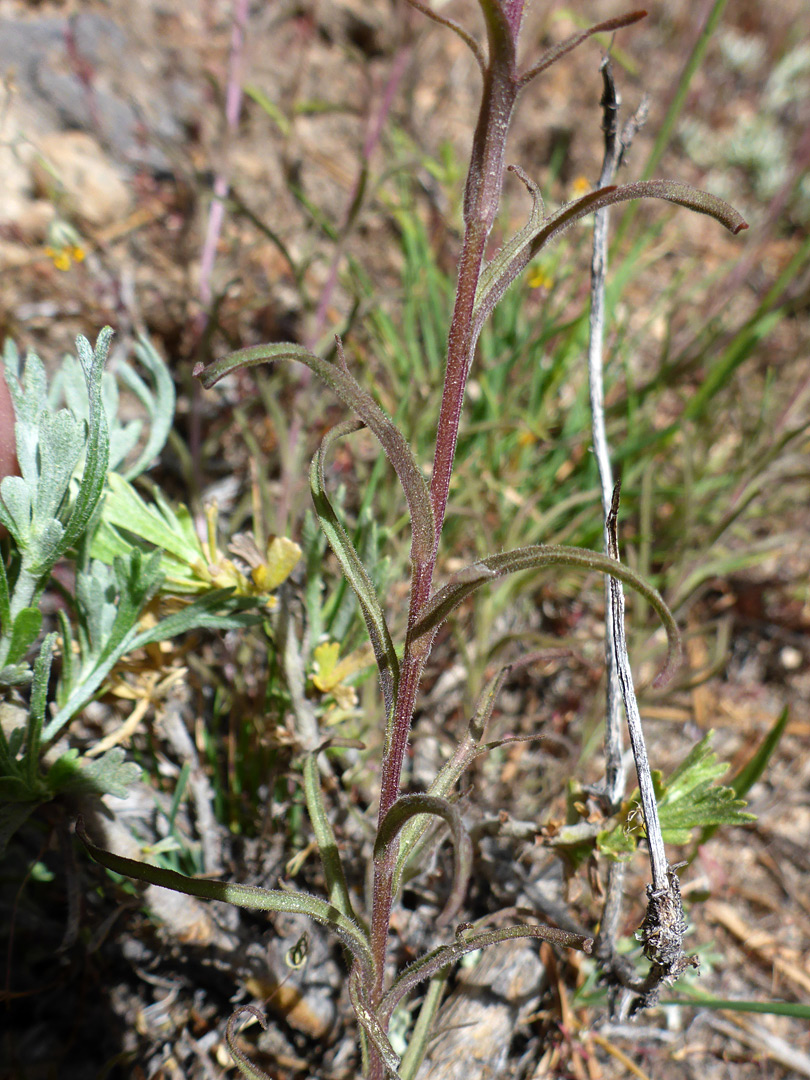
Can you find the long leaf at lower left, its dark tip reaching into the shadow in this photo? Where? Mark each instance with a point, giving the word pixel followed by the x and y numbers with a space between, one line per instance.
pixel 240 896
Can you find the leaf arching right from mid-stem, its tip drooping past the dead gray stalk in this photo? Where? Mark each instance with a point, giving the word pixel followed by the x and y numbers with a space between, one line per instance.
pixel 526 559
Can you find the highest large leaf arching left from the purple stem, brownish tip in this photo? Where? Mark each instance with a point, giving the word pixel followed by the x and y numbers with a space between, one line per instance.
pixel 347 388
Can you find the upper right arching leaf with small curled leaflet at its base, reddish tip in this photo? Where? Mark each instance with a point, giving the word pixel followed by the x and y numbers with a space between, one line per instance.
pixel 518 253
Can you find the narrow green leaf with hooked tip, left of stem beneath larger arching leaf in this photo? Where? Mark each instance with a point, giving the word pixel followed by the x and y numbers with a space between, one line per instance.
pixel 355 573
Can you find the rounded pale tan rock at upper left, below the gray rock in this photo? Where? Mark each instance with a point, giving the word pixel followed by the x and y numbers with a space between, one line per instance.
pixel 78 177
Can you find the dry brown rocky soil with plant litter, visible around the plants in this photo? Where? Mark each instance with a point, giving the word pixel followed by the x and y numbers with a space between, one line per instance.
pixel 113 138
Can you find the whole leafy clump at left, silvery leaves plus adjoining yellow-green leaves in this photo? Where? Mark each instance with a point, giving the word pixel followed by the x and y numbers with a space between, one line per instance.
pixel 74 504
